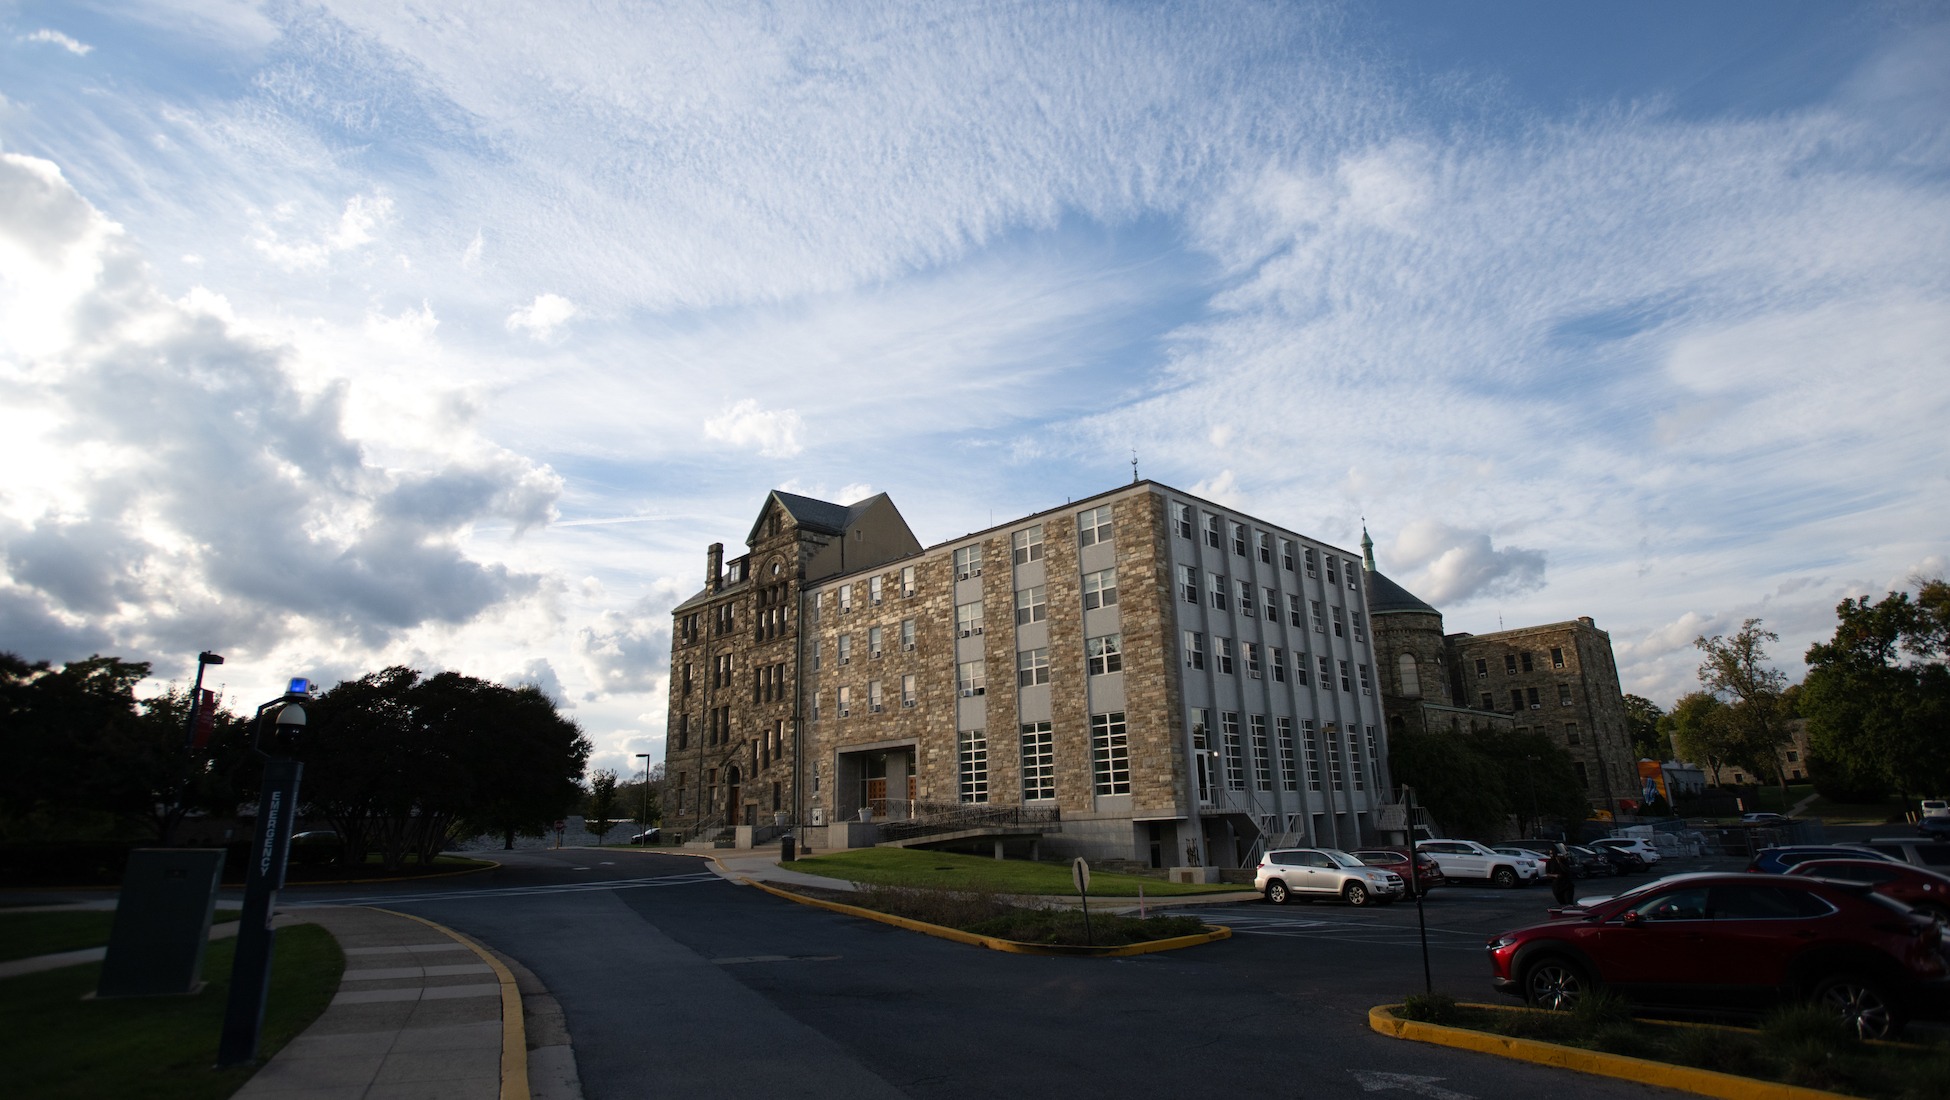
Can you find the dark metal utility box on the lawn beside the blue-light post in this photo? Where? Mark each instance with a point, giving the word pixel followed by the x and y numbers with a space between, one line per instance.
pixel 163 923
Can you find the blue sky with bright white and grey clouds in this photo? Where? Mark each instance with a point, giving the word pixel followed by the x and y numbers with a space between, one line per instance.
pixel 449 334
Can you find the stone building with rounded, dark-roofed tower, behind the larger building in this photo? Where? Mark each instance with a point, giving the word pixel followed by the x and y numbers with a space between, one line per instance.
pixel 1557 680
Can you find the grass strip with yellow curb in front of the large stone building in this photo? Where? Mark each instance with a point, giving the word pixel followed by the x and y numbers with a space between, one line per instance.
pixel 953 871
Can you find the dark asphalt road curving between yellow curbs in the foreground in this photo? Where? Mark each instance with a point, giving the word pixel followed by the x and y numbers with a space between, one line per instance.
pixel 680 984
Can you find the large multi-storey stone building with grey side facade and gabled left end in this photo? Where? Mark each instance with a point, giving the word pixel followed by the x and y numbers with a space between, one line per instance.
pixel 1175 680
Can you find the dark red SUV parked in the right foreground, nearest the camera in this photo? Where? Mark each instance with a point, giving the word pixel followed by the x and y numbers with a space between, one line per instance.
pixel 1740 943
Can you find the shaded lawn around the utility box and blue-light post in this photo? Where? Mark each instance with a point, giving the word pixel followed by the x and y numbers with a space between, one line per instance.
pixel 58 1046
